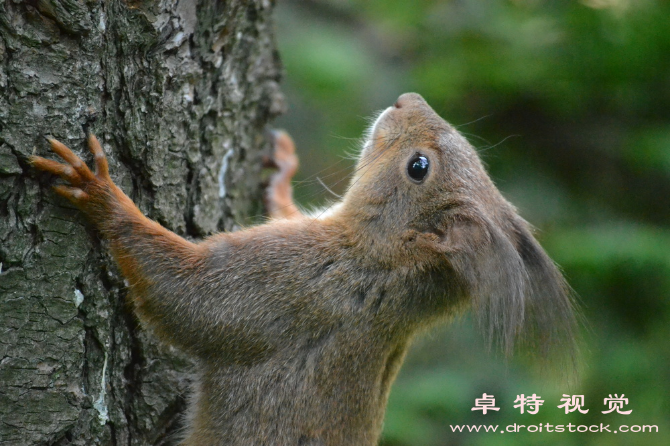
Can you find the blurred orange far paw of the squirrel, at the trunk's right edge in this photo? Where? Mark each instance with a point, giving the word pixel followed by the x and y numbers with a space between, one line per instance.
pixel 279 193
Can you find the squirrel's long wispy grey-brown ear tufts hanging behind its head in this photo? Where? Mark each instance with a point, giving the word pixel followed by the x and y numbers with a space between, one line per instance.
pixel 516 290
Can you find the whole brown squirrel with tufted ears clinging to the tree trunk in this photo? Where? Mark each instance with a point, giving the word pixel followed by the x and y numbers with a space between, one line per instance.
pixel 299 325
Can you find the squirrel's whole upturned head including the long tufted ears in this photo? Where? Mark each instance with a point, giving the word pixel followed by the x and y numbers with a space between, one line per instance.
pixel 421 198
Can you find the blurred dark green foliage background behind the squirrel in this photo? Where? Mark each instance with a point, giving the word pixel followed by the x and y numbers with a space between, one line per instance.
pixel 568 103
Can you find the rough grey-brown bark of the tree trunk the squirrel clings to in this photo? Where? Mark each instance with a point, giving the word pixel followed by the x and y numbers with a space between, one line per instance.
pixel 179 93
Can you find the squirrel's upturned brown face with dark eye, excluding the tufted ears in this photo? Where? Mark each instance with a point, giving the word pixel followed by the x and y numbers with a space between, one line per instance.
pixel 419 169
